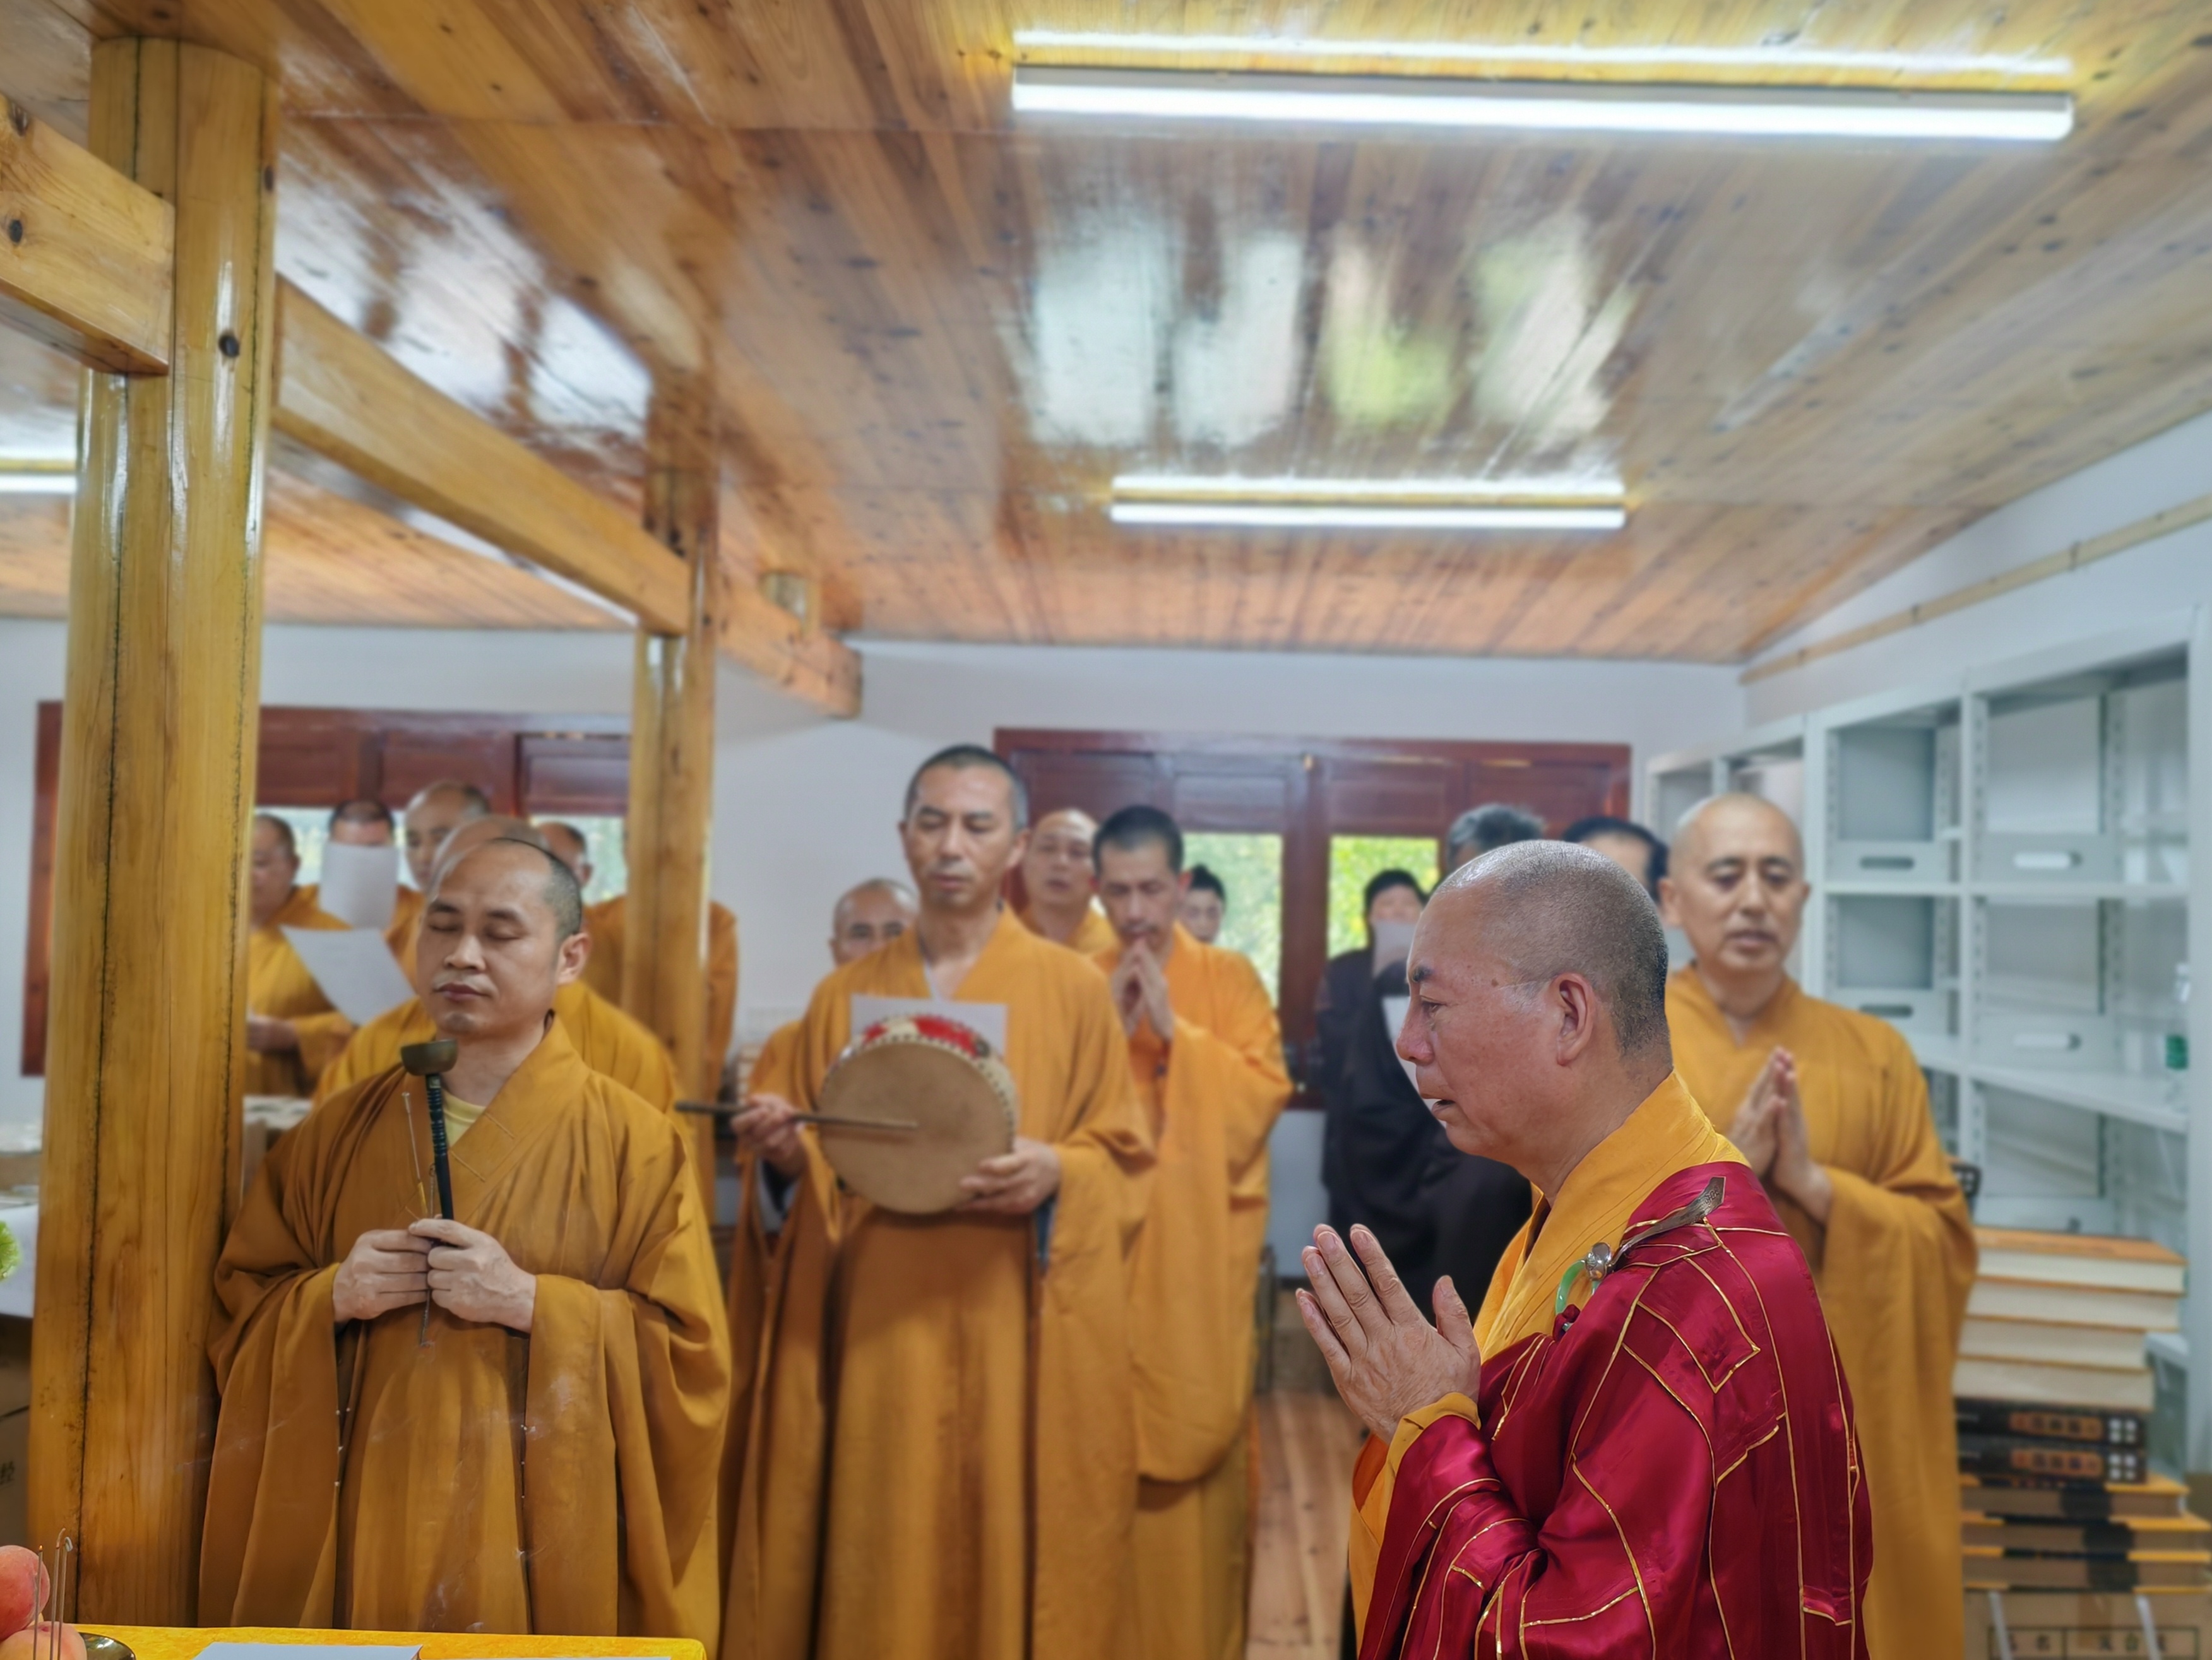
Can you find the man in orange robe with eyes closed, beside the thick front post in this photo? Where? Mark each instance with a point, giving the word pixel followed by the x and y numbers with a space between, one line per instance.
pixel 386 1374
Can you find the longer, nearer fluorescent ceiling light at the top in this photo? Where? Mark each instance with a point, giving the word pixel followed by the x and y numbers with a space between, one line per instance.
pixel 1552 107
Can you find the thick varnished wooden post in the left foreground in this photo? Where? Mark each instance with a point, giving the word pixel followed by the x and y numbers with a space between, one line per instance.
pixel 156 788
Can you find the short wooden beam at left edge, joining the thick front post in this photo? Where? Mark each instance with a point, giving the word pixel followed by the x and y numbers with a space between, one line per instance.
pixel 85 251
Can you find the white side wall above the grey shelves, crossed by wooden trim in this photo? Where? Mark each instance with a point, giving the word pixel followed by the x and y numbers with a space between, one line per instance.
pixel 2140 585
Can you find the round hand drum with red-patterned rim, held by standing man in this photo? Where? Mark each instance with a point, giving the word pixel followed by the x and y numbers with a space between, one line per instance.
pixel 946 1100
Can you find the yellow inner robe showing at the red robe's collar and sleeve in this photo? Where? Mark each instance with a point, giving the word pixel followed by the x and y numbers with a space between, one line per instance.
pixel 1665 1135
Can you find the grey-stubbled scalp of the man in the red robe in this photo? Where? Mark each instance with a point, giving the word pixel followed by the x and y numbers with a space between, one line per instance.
pixel 1547 910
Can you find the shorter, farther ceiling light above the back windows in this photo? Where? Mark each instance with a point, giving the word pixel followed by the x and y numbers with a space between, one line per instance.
pixel 1366 505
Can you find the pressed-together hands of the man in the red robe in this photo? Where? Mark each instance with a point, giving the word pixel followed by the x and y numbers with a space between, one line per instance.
pixel 1386 1358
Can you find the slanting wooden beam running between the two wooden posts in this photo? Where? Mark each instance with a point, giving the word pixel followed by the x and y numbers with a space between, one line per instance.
pixel 344 397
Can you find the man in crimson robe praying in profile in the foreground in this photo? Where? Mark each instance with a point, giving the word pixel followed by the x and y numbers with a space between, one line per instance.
pixel 1645 1442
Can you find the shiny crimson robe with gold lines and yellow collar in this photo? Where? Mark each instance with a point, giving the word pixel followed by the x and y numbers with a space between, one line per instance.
pixel 1667 1471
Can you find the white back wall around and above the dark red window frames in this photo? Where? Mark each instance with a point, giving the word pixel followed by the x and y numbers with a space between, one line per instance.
pixel 806 806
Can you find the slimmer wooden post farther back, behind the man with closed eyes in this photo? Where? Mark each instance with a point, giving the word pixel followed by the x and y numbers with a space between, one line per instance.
pixel 674 757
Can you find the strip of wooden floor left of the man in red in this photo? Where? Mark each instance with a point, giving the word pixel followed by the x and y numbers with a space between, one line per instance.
pixel 1306 1449
